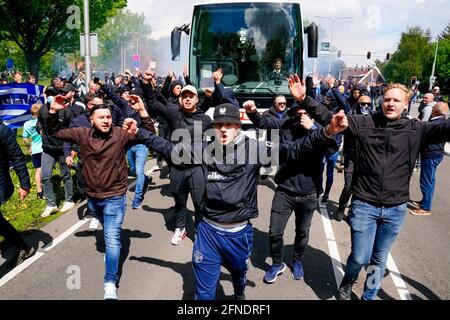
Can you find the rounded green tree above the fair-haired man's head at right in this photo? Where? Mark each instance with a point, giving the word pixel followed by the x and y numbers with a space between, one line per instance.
pixel 412 58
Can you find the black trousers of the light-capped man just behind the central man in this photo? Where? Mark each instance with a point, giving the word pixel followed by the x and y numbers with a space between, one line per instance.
pixel 182 182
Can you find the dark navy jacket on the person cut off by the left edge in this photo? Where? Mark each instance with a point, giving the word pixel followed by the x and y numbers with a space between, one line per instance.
pixel 10 151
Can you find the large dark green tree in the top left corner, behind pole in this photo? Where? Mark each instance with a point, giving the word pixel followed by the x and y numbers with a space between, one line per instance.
pixel 40 26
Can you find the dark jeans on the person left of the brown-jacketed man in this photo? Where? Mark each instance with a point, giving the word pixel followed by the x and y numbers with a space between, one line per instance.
pixel 48 162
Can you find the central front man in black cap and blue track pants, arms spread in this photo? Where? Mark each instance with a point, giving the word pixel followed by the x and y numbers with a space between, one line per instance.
pixel 231 165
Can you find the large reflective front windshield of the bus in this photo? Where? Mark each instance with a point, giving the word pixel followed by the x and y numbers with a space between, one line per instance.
pixel 257 45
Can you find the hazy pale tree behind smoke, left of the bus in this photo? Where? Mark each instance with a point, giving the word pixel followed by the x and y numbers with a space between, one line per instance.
pixel 125 29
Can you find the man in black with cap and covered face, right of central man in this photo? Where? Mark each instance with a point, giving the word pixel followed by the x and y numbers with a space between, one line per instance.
pixel 298 185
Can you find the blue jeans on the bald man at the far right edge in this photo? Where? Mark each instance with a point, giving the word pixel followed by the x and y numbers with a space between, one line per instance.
pixel 427 180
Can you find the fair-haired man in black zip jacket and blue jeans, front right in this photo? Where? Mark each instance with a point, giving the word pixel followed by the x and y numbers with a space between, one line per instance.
pixel 387 145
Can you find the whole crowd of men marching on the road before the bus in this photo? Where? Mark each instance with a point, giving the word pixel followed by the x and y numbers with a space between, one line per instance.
pixel 106 130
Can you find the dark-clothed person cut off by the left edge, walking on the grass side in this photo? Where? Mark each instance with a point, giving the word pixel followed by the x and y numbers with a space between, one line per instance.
pixel 10 151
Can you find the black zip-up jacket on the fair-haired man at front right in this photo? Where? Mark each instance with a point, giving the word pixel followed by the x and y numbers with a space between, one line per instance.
pixel 386 152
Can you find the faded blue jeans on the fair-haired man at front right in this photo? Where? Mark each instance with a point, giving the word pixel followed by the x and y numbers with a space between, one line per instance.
pixel 373 231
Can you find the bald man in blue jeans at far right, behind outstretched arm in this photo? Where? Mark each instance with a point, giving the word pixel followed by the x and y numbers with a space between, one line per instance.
pixel 431 155
